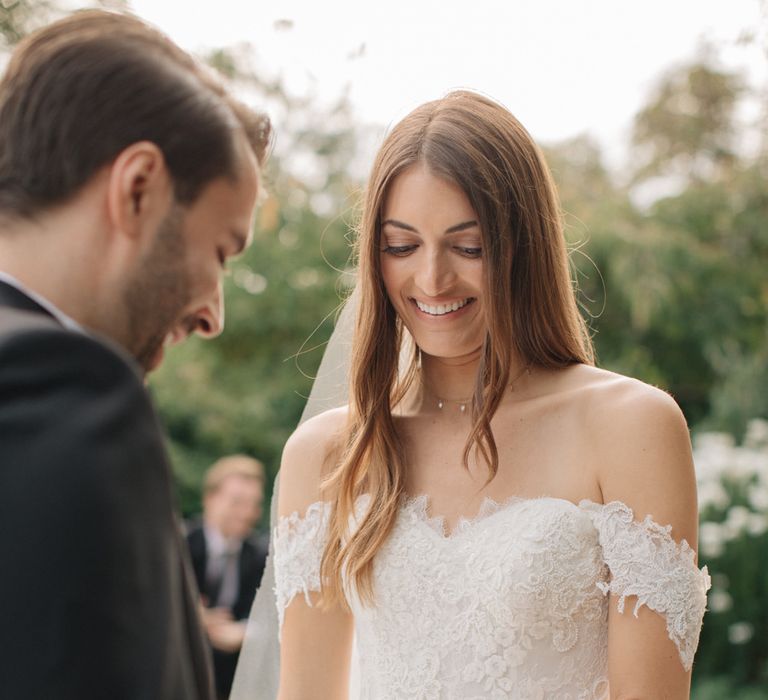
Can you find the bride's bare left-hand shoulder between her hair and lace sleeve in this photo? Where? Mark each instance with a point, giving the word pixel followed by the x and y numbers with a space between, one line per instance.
pixel 308 456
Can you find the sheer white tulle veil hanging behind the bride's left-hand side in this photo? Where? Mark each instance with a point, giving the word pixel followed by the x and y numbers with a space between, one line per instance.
pixel 258 669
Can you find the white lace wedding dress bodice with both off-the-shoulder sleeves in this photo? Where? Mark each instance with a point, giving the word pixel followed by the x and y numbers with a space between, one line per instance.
pixel 511 604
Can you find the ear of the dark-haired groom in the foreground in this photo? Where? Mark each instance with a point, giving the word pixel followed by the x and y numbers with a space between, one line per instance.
pixel 139 191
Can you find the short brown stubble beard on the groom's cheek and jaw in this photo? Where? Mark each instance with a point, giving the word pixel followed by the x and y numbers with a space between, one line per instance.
pixel 158 294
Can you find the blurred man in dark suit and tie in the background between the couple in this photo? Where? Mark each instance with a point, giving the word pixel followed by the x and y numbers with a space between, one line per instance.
pixel 228 561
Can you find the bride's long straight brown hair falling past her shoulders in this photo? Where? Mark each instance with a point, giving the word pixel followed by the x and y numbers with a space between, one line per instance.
pixel 529 302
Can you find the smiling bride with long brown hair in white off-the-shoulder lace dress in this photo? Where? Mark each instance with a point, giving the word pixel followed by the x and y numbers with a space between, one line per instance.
pixel 491 516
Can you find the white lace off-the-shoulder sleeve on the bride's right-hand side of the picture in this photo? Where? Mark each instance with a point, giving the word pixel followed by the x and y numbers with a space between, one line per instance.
pixel 646 562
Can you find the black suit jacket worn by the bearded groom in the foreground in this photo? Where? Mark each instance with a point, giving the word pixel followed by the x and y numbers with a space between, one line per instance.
pixel 96 595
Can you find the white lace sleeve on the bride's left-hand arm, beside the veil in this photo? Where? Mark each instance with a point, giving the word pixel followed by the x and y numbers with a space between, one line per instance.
pixel 299 542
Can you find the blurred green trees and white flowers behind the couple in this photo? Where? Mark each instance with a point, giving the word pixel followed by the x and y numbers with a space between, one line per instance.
pixel 671 260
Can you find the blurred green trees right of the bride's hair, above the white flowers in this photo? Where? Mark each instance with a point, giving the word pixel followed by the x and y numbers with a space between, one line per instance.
pixel 677 293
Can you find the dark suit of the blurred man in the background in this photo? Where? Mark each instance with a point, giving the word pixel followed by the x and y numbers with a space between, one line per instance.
pixel 251 567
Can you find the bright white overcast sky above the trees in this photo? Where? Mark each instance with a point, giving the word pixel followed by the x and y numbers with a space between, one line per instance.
pixel 562 66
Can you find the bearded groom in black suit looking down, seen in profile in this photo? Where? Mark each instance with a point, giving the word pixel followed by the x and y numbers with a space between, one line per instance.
pixel 127 177
